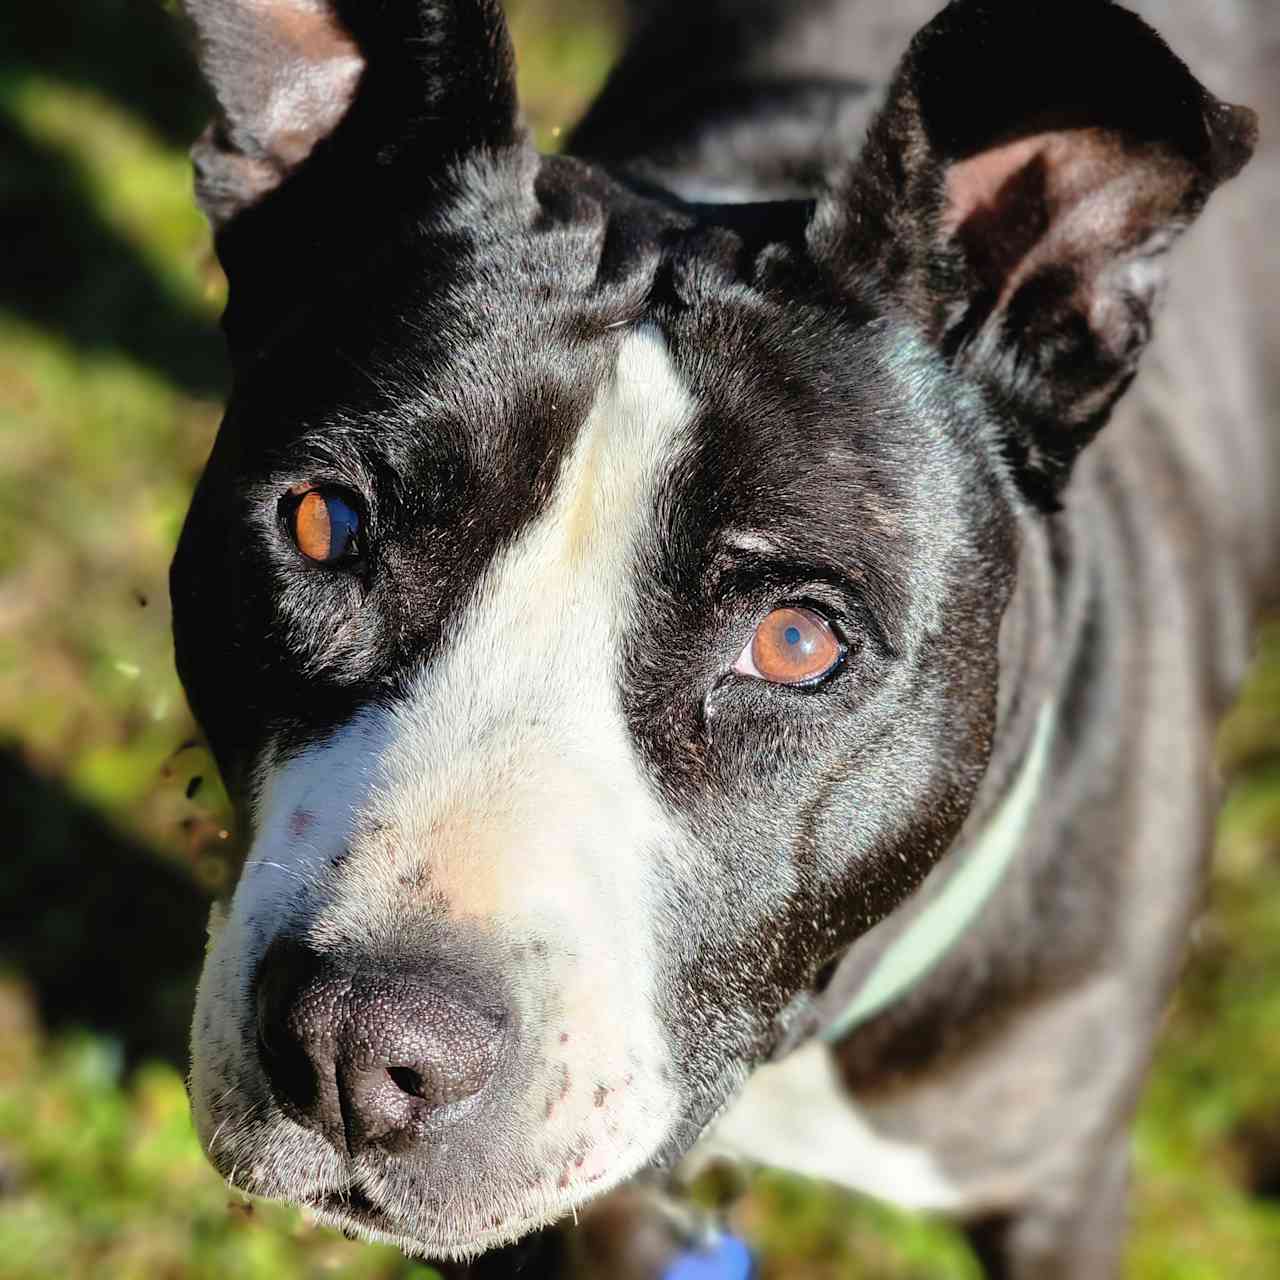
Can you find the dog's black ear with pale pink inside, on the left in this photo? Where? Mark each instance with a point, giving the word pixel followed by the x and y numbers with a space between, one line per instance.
pixel 331 113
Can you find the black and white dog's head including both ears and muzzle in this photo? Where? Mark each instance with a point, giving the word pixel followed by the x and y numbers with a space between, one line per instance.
pixel 593 601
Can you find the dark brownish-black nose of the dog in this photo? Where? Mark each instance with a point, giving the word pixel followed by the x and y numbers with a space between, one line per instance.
pixel 368 1055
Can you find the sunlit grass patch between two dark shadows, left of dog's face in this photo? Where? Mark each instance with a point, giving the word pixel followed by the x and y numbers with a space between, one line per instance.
pixel 97 460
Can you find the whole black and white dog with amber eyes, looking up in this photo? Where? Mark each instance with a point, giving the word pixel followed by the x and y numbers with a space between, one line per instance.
pixel 687 688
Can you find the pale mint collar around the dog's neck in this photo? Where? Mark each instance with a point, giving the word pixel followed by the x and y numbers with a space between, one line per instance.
pixel 940 925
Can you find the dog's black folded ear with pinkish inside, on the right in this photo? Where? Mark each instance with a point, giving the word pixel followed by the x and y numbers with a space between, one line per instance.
pixel 1020 193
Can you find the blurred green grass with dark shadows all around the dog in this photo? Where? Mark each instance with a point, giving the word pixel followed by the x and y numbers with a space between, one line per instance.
pixel 111 382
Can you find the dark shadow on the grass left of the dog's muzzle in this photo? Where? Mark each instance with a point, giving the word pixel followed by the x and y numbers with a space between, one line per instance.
pixel 107 935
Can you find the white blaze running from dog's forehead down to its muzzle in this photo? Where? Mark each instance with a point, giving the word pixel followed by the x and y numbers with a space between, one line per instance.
pixel 505 792
